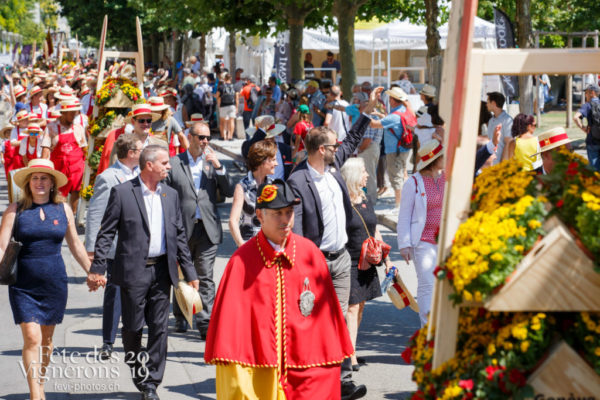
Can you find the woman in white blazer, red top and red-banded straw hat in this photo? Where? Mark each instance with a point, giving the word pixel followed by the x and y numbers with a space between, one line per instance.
pixel 419 220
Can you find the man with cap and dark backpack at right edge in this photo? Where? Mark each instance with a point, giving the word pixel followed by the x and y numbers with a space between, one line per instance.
pixel 591 112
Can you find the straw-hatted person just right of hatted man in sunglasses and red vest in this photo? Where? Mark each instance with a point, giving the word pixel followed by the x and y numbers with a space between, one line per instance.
pixel 167 127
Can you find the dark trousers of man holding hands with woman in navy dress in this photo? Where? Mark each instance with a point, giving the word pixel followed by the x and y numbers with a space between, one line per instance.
pixel 147 301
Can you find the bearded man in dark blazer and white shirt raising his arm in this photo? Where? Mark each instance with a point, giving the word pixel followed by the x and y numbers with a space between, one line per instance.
pixel 319 185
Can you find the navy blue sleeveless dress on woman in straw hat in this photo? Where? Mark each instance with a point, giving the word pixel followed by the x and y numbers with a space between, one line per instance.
pixel 40 293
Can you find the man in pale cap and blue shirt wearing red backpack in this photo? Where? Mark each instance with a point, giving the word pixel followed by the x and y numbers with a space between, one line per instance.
pixel 396 124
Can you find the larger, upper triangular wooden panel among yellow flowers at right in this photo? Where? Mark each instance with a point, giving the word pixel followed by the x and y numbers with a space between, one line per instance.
pixel 556 275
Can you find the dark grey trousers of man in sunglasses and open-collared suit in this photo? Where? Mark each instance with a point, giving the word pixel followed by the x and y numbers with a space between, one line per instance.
pixel 203 254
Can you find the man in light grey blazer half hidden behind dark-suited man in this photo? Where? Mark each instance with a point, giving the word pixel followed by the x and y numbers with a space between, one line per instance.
pixel 128 149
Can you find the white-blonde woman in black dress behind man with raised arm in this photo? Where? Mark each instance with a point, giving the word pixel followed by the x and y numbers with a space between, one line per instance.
pixel 364 284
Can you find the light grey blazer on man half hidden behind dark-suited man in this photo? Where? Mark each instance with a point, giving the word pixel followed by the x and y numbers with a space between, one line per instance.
pixel 112 176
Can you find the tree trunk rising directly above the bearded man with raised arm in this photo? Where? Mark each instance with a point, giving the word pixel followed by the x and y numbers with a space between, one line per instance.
pixel 345 11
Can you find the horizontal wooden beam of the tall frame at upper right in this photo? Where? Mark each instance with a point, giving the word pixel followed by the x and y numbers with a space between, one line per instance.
pixel 537 61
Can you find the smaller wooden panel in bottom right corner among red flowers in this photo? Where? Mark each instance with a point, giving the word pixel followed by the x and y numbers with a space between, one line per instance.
pixel 564 374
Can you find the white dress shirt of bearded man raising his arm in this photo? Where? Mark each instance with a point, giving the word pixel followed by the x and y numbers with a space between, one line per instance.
pixel 332 208
